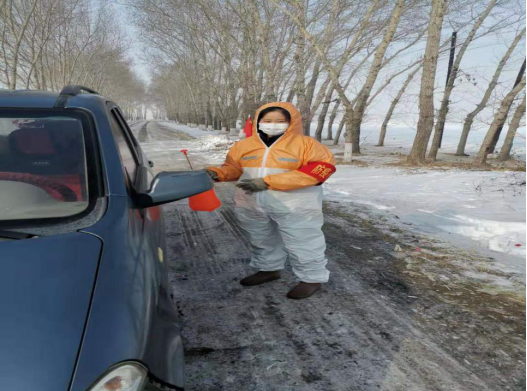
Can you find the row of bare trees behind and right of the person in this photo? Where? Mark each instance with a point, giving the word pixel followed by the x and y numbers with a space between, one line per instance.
pixel 218 60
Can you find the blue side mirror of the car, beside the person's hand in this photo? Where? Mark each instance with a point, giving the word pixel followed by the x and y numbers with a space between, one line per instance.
pixel 169 186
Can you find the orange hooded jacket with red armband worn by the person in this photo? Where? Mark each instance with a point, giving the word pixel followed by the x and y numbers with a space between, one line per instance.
pixel 300 160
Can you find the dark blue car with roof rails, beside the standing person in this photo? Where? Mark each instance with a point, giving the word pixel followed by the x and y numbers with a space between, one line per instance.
pixel 85 298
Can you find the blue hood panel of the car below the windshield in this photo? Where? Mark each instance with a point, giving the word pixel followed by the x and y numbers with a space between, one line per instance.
pixel 46 285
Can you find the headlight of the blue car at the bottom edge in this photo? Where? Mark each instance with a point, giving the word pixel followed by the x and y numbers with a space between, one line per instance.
pixel 127 376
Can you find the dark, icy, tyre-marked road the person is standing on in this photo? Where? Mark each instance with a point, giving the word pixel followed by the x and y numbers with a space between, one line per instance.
pixel 381 323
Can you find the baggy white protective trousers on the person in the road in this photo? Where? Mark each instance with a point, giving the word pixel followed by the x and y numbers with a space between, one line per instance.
pixel 277 231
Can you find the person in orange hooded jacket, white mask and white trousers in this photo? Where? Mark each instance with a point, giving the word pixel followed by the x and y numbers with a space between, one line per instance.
pixel 279 200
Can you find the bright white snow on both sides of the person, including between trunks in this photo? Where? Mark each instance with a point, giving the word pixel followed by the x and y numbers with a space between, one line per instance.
pixel 479 211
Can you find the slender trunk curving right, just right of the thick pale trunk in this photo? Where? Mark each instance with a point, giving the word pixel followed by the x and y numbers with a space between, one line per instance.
pixel 443 111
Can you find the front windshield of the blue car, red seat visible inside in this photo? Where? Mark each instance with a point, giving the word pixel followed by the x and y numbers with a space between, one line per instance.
pixel 43 171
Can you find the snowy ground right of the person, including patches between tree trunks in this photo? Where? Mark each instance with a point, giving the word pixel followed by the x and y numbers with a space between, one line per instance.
pixel 480 212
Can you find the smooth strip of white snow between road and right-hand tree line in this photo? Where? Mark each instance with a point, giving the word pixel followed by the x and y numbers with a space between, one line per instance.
pixel 475 210
